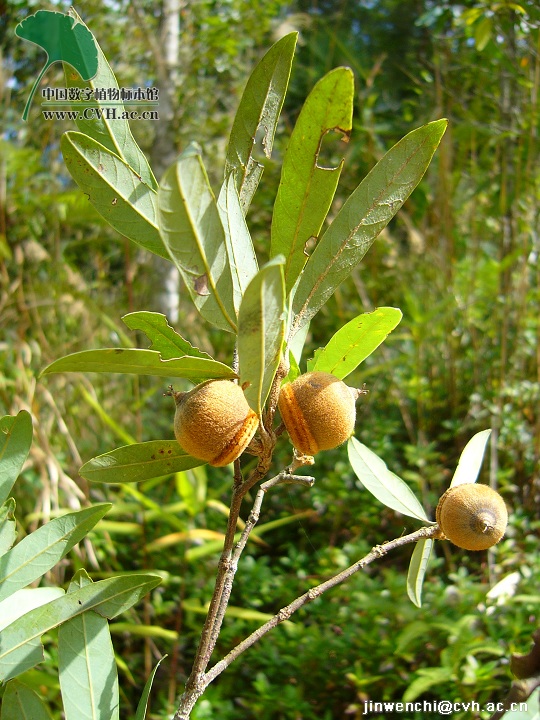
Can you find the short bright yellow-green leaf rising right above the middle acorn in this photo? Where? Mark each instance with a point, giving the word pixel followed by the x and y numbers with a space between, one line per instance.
pixel 355 341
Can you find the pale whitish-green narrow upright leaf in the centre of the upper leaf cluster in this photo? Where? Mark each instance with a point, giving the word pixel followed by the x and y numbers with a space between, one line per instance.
pixel 242 258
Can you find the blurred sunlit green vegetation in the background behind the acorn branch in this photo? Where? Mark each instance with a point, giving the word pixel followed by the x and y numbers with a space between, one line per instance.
pixel 460 260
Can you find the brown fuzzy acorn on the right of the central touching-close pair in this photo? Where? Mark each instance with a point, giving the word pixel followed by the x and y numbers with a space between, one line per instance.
pixel 319 411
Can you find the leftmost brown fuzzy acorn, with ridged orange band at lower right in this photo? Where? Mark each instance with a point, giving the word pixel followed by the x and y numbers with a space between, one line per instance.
pixel 214 422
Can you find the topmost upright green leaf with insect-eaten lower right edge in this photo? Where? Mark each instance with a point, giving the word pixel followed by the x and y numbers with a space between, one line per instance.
pixel 259 110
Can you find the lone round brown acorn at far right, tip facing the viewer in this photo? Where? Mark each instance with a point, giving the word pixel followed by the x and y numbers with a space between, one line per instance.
pixel 473 517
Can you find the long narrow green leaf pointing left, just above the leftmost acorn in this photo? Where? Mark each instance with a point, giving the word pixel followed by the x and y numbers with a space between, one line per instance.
pixel 139 362
